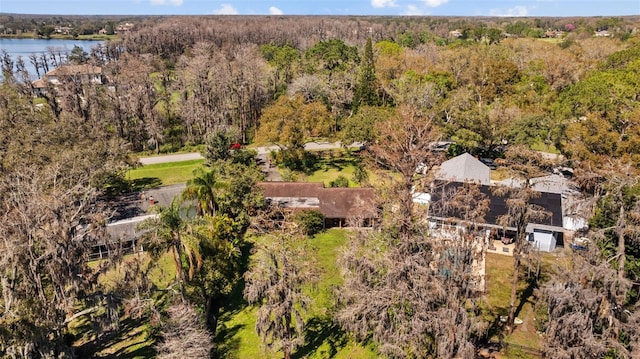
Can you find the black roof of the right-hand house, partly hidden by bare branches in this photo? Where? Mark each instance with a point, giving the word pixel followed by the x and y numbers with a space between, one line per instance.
pixel 551 202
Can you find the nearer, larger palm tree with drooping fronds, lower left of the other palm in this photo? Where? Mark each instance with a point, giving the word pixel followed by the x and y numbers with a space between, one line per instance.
pixel 171 230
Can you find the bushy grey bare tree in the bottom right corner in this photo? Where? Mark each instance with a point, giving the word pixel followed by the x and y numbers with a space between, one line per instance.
pixel 589 315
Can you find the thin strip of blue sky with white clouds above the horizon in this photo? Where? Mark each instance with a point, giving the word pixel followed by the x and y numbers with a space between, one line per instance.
pixel 533 8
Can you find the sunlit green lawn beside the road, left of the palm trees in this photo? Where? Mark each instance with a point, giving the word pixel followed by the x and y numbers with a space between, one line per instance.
pixel 163 174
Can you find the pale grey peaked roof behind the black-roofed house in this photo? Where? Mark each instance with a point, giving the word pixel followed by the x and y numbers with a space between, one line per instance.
pixel 464 168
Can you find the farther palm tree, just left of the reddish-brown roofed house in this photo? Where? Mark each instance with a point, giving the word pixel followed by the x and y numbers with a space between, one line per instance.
pixel 204 187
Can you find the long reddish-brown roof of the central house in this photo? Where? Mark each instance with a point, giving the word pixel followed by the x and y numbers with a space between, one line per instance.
pixel 332 202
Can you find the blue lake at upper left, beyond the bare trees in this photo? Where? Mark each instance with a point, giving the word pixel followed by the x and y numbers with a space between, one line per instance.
pixel 26 47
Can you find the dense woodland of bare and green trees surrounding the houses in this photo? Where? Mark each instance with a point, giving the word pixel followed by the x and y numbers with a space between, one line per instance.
pixel 497 88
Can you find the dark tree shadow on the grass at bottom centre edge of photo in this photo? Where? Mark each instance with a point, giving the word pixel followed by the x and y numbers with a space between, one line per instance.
pixel 318 331
